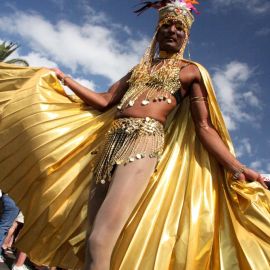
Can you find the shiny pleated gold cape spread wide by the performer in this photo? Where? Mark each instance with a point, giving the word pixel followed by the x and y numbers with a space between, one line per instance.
pixel 192 216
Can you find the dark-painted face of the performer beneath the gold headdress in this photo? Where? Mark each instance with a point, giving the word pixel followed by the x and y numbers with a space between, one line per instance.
pixel 170 37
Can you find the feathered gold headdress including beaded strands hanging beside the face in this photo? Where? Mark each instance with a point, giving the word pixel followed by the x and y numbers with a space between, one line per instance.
pixel 170 10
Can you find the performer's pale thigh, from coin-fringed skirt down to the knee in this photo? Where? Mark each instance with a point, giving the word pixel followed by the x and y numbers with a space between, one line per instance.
pixel 127 186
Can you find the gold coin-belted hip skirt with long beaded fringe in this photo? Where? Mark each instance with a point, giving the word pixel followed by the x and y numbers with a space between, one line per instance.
pixel 129 139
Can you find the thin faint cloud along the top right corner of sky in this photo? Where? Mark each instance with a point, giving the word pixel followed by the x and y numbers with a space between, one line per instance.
pixel 253 6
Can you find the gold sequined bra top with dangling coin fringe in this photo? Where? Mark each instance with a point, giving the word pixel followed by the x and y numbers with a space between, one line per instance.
pixel 158 83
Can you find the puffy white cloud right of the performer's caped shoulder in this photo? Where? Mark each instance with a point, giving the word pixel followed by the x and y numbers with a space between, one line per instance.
pixel 236 99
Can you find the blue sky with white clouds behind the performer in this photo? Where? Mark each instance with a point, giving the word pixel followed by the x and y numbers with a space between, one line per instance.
pixel 99 41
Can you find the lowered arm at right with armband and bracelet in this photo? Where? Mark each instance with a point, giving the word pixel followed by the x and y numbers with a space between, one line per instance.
pixel 208 135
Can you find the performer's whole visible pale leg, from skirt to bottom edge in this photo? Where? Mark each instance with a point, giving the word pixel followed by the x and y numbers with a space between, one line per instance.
pixel 127 186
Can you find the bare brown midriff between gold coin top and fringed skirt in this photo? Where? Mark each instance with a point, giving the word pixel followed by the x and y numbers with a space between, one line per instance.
pixel 158 110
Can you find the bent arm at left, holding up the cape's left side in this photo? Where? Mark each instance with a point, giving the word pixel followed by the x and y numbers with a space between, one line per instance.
pixel 99 101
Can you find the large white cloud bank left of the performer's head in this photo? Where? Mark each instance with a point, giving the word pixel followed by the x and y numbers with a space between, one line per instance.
pixel 92 47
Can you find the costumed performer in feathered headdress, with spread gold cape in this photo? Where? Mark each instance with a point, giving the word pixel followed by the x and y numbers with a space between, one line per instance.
pixel 166 190
